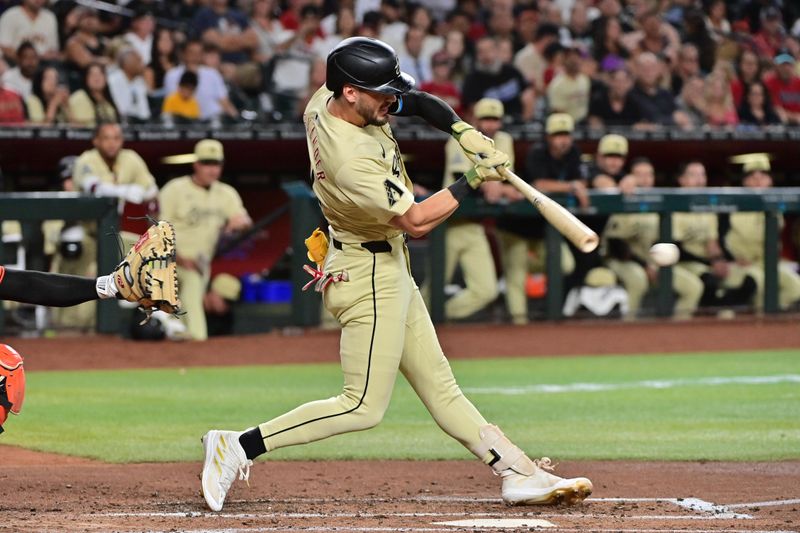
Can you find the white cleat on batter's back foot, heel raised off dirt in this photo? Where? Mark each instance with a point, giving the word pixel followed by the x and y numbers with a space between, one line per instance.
pixel 225 458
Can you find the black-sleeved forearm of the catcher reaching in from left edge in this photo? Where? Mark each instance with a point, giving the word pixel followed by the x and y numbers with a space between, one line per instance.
pixel 45 288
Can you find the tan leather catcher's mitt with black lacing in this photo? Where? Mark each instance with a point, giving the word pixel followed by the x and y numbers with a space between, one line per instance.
pixel 148 274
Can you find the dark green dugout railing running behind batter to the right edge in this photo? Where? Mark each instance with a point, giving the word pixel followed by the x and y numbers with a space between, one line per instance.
pixel 664 201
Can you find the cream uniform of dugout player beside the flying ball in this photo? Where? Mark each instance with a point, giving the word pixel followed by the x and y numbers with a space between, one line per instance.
pixel 640 231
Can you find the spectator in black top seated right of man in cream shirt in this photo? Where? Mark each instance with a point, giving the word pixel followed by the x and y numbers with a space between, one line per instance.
pixel 611 103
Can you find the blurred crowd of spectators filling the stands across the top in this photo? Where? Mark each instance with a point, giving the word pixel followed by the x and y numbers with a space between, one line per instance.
pixel 642 63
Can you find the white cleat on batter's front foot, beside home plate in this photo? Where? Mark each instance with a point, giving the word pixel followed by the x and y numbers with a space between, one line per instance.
pixel 543 488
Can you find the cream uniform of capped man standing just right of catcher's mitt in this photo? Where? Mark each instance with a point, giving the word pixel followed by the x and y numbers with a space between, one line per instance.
pixel 198 215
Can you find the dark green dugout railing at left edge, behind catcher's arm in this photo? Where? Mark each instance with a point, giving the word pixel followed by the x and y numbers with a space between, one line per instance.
pixel 72 207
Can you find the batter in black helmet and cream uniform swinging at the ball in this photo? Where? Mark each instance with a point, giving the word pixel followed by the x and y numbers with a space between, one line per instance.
pixel 365 194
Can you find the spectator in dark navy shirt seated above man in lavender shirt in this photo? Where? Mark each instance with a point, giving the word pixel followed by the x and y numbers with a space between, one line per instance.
pixel 228 30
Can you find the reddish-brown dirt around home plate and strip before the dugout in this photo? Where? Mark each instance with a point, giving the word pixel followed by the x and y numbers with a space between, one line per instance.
pixel 43 492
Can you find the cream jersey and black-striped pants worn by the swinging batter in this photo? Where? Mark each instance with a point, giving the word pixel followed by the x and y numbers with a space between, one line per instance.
pixel 361 184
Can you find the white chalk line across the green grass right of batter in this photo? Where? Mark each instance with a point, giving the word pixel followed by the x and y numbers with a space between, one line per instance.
pixel 646 384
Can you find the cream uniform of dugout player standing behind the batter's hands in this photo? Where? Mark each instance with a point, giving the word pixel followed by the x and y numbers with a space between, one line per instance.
pixel 466 242
